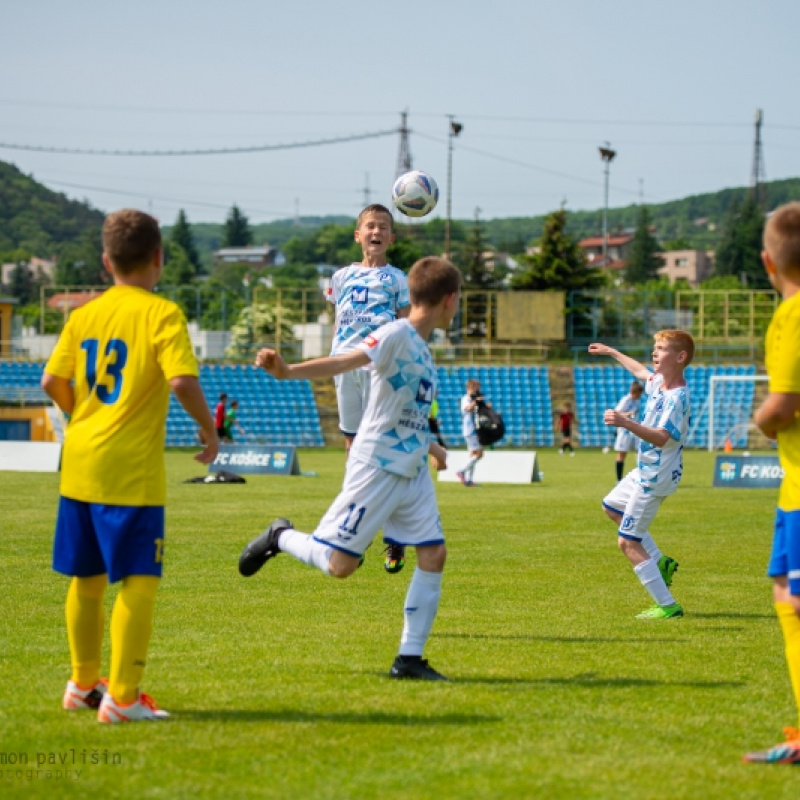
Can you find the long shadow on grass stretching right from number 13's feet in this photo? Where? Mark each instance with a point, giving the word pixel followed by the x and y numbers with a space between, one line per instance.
pixel 342 717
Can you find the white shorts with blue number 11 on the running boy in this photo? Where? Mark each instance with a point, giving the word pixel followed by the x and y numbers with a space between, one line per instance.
pixel 372 499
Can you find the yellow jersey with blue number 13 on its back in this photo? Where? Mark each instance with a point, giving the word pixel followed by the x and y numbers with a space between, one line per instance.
pixel 120 350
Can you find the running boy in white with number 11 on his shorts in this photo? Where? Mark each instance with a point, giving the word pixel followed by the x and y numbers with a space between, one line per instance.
pixel 387 484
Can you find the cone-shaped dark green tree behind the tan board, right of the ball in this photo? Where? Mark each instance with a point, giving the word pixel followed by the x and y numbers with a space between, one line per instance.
pixel 560 262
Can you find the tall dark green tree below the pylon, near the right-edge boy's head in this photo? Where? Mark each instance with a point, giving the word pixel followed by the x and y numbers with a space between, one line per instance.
pixel 739 252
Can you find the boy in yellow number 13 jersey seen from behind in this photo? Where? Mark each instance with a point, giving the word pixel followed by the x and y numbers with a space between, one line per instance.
pixel 111 371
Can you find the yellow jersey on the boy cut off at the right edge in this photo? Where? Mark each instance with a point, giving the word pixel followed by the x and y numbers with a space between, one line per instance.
pixel 783 367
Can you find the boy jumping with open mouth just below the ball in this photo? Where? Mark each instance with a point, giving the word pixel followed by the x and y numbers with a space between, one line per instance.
pixel 365 296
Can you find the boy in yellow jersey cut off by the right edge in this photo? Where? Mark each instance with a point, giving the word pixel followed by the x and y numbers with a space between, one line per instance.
pixel 779 418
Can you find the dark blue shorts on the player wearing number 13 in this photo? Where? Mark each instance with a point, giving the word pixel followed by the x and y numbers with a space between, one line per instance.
pixel 96 539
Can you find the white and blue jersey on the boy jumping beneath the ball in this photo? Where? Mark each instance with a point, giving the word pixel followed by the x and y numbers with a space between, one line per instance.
pixel 365 298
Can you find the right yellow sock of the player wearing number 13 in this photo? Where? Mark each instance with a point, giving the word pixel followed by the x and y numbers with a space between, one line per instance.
pixel 131 626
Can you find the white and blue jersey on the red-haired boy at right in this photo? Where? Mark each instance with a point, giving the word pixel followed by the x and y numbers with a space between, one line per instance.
pixel 660 468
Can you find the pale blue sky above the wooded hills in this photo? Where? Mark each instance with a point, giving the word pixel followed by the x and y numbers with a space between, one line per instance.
pixel 538 86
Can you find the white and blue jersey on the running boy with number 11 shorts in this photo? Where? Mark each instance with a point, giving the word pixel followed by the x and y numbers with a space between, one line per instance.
pixel 394 434
